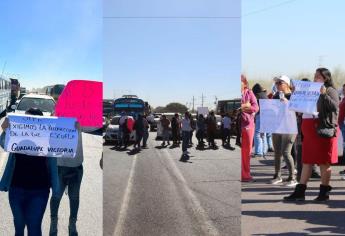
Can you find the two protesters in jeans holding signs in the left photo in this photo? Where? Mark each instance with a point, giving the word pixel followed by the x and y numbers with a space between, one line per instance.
pixel 28 180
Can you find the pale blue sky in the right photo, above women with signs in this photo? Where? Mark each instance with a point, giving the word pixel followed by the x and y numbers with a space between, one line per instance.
pixel 294 37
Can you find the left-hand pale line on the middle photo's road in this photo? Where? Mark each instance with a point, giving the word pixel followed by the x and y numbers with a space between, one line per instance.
pixel 125 202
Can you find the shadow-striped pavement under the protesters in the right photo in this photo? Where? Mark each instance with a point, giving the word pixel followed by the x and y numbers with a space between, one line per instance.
pixel 264 212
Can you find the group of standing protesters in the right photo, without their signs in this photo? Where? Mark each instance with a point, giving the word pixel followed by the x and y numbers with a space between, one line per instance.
pixel 315 143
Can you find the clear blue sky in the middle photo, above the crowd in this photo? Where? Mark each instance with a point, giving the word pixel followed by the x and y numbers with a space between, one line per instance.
pixel 172 59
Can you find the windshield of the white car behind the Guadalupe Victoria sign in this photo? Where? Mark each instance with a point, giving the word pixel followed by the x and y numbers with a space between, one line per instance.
pixel 45 105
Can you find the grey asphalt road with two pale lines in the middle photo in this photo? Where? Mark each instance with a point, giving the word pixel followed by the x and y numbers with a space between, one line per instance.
pixel 153 193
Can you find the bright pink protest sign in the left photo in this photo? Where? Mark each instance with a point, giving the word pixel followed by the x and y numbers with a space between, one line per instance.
pixel 82 99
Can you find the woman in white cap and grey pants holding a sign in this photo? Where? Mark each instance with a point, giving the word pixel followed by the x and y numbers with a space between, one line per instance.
pixel 283 143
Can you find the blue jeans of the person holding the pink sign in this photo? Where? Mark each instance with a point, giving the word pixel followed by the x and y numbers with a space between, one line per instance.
pixel 69 177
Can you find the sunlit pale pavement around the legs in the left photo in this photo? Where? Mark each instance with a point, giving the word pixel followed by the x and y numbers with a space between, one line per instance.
pixel 90 221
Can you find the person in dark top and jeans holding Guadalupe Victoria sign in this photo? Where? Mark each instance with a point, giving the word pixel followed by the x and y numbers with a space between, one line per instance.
pixel 28 180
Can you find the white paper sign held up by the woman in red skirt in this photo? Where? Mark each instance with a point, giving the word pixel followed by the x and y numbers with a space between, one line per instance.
pixel 305 96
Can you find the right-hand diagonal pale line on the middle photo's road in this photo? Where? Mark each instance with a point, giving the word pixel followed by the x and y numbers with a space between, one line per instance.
pixel 201 215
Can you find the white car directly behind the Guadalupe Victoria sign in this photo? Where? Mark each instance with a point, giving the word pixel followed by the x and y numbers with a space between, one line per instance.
pixel 43 102
